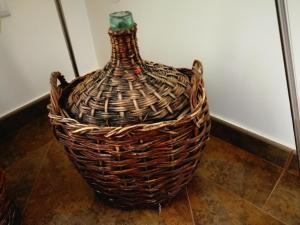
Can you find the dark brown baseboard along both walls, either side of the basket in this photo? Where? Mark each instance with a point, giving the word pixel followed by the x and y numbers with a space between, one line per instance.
pixel 253 143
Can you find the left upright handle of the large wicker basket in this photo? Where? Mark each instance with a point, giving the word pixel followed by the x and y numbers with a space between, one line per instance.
pixel 56 91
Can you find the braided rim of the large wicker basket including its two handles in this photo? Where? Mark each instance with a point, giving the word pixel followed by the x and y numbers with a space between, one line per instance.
pixel 58 114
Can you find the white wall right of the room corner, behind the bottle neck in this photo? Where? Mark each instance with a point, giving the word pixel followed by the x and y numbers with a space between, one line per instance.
pixel 238 42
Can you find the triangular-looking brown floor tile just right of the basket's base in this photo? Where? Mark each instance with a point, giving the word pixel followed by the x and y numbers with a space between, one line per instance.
pixel 212 205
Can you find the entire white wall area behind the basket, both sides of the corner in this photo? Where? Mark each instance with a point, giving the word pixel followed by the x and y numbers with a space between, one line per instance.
pixel 237 40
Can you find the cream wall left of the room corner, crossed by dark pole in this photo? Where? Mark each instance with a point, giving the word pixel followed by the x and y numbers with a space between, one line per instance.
pixel 32 46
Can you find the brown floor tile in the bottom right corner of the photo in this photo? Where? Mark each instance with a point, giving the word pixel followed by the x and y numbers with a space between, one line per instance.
pixel 284 202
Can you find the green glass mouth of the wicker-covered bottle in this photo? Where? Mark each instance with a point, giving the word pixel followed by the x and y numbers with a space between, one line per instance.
pixel 121 20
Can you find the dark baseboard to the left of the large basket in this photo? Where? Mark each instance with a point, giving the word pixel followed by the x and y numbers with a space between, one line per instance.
pixel 18 118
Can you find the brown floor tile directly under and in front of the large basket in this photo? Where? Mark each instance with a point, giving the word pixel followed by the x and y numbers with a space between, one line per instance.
pixel 61 196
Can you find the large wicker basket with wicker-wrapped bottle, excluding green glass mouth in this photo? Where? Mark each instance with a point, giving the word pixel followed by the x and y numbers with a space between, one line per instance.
pixel 135 130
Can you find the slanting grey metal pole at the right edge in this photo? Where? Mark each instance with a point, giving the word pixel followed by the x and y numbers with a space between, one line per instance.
pixel 283 23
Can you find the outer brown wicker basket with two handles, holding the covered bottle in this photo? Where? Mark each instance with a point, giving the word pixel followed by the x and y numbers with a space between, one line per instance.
pixel 141 164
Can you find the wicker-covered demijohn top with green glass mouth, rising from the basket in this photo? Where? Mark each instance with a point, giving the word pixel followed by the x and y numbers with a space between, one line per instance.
pixel 129 90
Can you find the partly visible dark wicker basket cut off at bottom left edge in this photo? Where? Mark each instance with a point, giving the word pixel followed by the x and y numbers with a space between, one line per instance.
pixel 7 208
